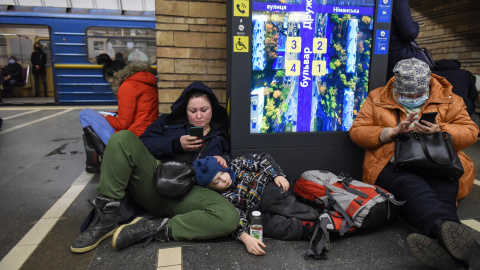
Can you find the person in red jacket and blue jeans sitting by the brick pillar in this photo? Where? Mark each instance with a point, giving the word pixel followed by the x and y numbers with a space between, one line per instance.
pixel 135 87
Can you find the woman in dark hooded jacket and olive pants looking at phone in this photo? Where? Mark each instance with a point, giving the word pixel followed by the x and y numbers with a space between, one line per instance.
pixel 202 213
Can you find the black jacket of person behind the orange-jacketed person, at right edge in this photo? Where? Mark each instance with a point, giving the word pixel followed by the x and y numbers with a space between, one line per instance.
pixel 463 81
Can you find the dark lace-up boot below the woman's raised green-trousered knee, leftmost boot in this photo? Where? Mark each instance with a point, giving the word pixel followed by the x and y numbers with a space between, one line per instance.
pixel 102 226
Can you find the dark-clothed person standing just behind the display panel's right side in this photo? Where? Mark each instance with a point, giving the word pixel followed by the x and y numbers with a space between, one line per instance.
pixel 403 30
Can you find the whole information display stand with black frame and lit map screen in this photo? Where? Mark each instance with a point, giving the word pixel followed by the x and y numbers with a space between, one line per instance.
pixel 298 72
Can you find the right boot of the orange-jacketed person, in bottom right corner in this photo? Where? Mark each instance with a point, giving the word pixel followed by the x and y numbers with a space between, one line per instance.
pixel 460 243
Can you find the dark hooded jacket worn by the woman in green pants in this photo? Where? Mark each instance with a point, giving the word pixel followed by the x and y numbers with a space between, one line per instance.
pixel 162 137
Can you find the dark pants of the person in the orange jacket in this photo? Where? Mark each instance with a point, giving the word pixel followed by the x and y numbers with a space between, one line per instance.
pixel 428 199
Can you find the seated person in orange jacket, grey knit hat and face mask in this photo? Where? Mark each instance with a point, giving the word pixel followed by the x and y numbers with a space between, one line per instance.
pixel 431 200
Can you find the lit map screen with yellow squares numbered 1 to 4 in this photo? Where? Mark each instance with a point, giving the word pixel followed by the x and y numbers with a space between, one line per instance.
pixel 311 64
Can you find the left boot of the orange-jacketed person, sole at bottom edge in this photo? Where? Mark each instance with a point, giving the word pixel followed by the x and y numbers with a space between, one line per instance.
pixel 431 253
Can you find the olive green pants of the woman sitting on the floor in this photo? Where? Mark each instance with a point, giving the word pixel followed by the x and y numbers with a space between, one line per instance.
pixel 201 214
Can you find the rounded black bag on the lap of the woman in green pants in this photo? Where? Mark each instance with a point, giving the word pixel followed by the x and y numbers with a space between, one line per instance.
pixel 174 179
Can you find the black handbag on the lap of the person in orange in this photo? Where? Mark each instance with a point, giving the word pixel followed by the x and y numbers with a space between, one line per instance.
pixel 424 153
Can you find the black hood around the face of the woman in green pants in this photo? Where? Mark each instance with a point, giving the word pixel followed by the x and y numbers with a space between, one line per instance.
pixel 179 107
